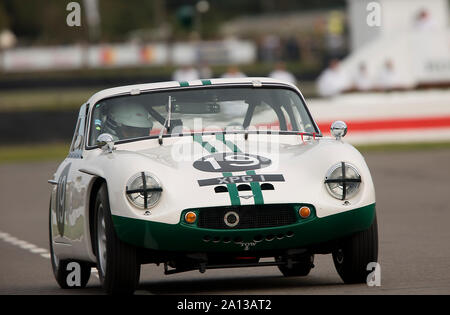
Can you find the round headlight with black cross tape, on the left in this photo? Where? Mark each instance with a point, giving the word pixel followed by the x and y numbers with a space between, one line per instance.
pixel 143 190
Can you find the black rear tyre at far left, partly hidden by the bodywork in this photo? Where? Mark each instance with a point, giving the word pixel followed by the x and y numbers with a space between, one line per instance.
pixel 59 267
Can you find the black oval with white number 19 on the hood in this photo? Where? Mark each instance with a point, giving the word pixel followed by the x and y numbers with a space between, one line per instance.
pixel 231 162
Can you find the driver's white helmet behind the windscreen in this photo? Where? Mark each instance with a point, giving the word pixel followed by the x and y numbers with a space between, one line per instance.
pixel 128 121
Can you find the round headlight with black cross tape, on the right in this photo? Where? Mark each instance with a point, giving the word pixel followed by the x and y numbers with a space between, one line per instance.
pixel 343 181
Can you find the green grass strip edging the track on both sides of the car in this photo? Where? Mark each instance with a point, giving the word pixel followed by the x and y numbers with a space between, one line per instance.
pixel 58 151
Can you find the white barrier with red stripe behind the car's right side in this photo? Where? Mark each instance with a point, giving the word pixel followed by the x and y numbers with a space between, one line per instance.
pixel 387 117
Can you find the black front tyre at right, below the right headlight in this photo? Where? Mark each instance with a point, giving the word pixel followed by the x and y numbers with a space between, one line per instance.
pixel 354 254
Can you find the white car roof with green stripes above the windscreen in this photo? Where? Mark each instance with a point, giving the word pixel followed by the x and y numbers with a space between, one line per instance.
pixel 139 88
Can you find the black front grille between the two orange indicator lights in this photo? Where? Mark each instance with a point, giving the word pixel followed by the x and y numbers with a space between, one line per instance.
pixel 250 217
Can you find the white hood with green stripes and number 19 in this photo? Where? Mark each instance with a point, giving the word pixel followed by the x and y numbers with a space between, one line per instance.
pixel 218 170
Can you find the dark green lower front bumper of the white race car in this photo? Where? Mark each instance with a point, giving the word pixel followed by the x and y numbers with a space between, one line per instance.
pixel 185 238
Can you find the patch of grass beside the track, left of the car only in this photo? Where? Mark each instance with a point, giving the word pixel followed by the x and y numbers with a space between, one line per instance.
pixel 33 153
